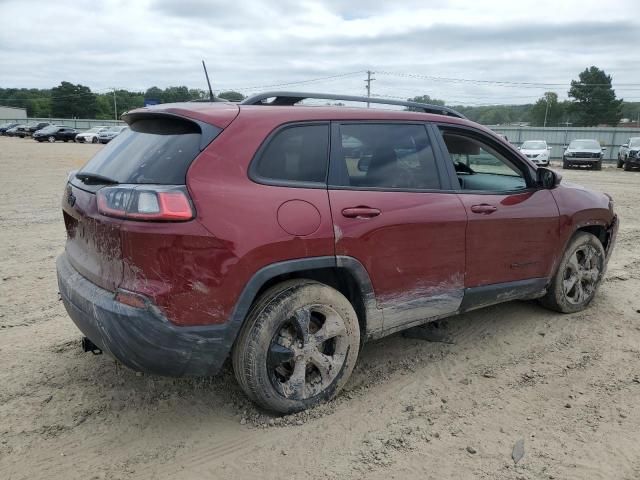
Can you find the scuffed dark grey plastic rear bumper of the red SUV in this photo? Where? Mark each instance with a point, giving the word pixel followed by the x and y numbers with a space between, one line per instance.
pixel 142 339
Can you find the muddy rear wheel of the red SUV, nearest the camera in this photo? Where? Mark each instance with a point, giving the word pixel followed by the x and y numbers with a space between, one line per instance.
pixel 297 347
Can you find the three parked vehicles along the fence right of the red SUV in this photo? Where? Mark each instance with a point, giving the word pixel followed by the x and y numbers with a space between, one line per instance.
pixel 583 152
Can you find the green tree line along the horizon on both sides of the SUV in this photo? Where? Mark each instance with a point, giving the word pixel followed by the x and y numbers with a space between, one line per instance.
pixel 592 101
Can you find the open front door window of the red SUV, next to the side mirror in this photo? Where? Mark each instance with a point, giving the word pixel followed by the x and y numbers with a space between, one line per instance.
pixel 479 166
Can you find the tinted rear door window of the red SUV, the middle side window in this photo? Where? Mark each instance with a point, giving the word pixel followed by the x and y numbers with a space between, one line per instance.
pixel 392 156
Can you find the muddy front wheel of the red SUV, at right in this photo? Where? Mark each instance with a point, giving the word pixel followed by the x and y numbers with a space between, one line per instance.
pixel 579 275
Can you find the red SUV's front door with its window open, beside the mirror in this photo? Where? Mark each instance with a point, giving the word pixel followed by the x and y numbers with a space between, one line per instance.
pixel 513 227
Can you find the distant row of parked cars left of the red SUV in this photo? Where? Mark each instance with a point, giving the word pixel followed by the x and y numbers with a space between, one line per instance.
pixel 47 132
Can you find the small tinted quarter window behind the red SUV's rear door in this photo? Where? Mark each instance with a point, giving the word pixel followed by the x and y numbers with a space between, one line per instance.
pixel 295 154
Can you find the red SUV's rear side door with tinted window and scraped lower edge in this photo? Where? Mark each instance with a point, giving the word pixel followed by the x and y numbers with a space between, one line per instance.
pixel 393 210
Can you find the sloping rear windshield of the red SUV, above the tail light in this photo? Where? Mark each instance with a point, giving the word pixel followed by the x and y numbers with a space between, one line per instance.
pixel 153 150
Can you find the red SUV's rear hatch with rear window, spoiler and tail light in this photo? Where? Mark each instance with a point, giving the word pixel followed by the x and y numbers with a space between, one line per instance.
pixel 152 156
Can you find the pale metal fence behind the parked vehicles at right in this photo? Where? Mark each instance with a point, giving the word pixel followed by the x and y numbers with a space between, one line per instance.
pixel 559 137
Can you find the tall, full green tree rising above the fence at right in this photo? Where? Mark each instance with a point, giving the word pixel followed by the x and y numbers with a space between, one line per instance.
pixel 595 100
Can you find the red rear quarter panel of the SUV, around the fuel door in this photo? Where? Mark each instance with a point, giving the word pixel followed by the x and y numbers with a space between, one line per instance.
pixel 239 219
